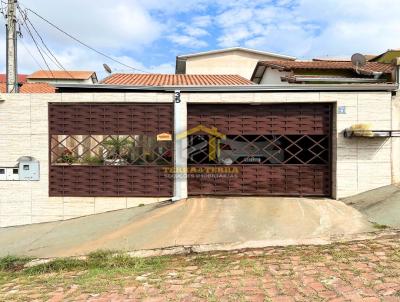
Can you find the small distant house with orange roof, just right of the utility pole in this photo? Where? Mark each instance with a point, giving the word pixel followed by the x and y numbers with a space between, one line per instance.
pixel 56 76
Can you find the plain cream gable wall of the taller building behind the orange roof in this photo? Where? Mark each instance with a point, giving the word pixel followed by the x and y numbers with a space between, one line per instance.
pixel 232 62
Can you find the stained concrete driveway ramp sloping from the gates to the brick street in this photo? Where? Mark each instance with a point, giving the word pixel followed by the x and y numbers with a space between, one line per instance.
pixel 193 221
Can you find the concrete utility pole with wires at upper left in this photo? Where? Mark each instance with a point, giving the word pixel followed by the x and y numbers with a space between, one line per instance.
pixel 11 45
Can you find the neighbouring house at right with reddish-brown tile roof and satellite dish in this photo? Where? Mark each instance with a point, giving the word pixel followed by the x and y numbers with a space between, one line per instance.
pixel 319 72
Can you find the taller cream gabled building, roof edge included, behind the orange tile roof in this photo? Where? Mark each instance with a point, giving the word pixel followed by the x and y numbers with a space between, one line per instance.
pixel 236 60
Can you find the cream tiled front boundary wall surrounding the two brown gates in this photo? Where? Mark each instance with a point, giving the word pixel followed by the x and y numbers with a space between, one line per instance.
pixel 359 164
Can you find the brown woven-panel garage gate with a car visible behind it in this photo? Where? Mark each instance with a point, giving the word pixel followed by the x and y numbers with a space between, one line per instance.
pixel 279 149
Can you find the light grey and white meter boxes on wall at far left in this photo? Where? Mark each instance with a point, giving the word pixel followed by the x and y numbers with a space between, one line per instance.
pixel 26 169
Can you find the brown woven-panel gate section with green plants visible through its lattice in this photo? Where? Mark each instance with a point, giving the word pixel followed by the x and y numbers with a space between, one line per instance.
pixel 110 149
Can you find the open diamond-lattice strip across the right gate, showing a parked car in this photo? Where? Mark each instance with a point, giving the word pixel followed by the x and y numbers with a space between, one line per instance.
pixel 259 149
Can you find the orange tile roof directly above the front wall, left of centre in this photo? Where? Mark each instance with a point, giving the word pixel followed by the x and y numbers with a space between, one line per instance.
pixel 175 80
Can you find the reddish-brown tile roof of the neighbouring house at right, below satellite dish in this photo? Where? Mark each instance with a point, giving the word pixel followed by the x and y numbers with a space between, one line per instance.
pixel 343 65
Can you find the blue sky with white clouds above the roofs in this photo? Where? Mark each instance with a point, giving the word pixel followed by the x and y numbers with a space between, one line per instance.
pixel 149 34
